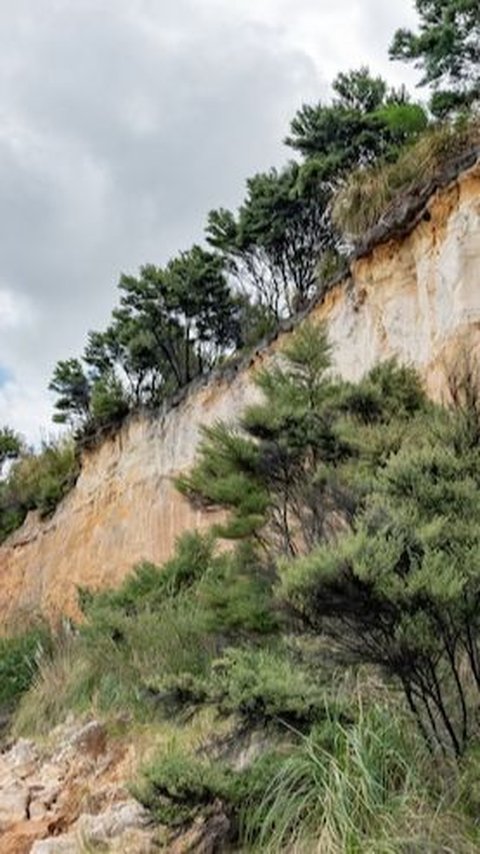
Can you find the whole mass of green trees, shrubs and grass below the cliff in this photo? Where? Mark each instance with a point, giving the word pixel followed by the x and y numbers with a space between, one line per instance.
pixel 340 633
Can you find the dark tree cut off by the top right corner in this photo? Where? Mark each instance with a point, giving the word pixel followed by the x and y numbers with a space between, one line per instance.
pixel 447 49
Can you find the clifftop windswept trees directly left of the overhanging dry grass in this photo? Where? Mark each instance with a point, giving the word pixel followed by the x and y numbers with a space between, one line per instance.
pixel 281 242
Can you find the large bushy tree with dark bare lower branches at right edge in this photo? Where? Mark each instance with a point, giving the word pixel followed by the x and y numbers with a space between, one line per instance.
pixel 401 589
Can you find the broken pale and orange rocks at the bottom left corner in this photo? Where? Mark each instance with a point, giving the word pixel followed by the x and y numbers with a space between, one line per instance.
pixel 71 797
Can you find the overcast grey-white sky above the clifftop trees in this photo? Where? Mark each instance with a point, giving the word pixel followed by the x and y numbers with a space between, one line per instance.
pixel 122 122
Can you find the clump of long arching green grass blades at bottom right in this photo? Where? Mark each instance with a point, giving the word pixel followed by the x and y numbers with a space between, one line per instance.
pixel 354 789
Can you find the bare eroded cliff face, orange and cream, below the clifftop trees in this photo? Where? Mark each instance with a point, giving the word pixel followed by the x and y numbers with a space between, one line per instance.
pixel 417 298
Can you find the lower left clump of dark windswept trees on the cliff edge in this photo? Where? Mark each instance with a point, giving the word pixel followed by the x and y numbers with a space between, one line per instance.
pixel 172 323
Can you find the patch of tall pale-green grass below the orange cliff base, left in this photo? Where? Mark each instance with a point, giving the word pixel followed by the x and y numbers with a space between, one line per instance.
pixel 109 667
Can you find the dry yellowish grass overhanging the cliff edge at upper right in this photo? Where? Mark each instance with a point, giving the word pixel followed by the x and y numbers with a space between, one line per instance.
pixel 376 195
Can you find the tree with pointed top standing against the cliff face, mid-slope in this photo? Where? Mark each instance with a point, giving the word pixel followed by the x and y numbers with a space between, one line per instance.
pixel 276 473
